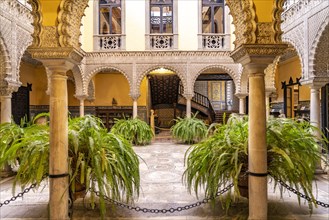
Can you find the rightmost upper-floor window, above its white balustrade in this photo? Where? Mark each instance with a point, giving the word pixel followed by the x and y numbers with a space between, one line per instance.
pixel 213 16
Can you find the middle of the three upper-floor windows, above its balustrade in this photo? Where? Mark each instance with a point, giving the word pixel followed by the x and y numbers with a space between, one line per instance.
pixel 161 16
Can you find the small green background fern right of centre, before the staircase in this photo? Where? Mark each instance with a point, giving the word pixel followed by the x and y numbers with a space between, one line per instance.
pixel 189 130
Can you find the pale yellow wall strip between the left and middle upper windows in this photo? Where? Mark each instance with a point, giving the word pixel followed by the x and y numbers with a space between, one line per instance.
pixel 135 25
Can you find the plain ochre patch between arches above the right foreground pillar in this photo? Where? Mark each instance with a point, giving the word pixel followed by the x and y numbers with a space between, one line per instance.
pixel 264 10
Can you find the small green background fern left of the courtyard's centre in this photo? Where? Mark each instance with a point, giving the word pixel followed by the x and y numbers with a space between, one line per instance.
pixel 135 130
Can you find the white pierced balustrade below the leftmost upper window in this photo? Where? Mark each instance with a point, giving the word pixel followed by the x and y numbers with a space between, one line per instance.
pixel 109 41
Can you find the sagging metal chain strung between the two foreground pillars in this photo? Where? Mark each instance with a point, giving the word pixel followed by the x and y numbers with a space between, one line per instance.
pixel 162 211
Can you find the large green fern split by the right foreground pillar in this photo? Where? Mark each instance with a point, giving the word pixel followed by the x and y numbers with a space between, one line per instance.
pixel 219 160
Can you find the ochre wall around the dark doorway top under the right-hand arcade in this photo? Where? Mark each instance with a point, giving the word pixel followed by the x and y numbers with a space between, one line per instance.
pixel 287 69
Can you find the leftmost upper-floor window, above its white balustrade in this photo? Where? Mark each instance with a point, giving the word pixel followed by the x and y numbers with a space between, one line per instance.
pixel 110 17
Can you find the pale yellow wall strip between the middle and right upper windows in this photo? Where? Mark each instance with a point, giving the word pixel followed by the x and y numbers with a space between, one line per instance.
pixel 188 25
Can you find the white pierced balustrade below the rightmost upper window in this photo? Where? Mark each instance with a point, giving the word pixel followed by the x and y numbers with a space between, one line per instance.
pixel 215 41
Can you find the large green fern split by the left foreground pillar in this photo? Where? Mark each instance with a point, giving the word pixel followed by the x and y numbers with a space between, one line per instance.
pixel 98 160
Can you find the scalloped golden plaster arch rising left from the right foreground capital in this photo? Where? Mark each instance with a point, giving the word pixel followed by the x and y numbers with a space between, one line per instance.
pixel 243 14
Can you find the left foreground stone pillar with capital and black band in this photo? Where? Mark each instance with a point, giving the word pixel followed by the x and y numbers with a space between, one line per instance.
pixel 58 152
